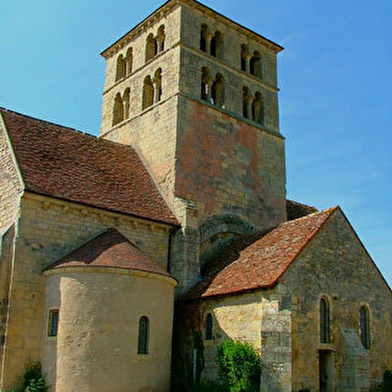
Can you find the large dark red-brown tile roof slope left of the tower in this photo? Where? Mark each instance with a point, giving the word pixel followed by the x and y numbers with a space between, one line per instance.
pixel 68 164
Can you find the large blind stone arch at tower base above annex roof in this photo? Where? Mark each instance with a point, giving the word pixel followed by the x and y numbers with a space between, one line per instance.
pixel 218 231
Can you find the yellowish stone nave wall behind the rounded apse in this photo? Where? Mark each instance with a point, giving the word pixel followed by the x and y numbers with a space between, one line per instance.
pixel 49 229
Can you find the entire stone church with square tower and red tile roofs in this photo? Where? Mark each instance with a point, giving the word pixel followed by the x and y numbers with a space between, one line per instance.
pixel 175 219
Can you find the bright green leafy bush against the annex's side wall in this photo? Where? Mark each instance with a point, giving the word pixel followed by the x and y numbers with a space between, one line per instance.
pixel 239 366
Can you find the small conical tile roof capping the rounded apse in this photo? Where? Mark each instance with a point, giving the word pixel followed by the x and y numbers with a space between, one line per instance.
pixel 110 249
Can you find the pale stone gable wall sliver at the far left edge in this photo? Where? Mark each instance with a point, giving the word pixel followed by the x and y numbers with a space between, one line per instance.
pixel 10 182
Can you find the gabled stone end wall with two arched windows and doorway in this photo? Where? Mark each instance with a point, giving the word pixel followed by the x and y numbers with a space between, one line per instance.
pixel 336 265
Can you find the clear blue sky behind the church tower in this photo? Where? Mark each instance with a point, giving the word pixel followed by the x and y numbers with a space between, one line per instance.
pixel 334 75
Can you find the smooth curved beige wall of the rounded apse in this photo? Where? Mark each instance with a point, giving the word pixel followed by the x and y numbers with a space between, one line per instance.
pixel 96 348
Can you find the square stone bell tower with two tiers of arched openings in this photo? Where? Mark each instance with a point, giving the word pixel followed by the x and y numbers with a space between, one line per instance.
pixel 196 94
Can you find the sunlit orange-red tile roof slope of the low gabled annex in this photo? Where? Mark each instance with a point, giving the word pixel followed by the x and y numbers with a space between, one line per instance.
pixel 261 263
